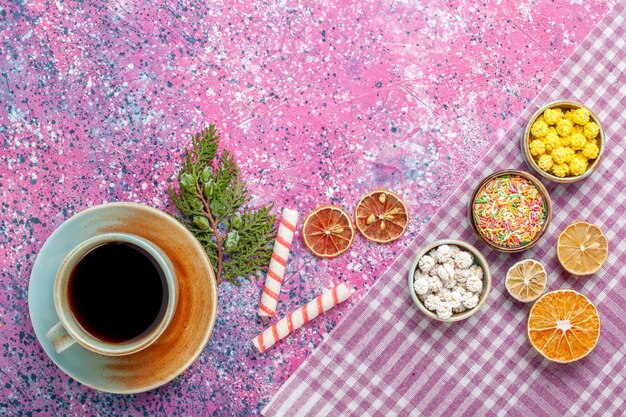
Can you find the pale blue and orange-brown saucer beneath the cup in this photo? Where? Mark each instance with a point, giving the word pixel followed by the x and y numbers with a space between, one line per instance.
pixel 192 324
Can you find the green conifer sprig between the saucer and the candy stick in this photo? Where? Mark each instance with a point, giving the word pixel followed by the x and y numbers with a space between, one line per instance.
pixel 212 199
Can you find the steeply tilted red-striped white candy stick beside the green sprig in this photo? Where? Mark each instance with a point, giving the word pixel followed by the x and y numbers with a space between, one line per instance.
pixel 276 270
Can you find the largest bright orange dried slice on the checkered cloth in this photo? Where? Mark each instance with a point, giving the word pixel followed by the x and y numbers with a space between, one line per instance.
pixel 563 326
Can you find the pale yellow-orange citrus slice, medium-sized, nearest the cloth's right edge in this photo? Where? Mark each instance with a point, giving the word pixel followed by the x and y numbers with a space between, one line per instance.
pixel 582 248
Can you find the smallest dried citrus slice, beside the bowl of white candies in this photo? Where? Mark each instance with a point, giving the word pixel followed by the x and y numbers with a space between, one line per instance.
pixel 526 280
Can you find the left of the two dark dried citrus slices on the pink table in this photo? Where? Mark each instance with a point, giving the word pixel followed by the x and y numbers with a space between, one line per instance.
pixel 327 231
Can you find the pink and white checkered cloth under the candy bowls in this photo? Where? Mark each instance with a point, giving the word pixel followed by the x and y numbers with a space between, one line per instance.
pixel 387 359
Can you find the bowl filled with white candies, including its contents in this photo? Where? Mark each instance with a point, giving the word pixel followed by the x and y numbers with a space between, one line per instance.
pixel 449 280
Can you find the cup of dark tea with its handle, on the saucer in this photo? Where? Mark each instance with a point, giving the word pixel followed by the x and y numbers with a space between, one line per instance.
pixel 115 294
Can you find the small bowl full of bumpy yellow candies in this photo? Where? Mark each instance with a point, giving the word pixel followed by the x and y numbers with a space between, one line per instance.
pixel 563 142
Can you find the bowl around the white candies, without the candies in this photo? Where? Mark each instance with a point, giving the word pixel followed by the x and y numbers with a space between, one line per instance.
pixel 479 260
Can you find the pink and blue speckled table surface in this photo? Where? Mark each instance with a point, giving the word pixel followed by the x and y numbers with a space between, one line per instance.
pixel 319 103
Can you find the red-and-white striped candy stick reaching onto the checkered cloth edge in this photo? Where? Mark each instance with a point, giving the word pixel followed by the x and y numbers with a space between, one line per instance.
pixel 297 318
